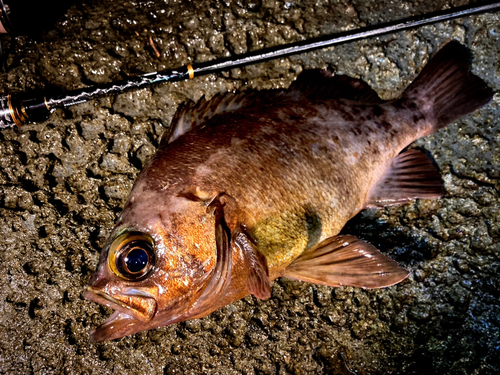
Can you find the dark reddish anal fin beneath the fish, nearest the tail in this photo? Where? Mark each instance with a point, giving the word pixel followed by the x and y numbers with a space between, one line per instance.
pixel 412 175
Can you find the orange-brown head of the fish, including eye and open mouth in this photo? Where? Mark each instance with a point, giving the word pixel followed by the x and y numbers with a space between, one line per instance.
pixel 154 265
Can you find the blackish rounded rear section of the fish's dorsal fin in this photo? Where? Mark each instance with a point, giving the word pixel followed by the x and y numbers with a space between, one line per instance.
pixel 325 84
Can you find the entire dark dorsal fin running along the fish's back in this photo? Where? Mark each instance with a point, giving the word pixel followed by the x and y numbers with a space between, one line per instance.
pixel 322 84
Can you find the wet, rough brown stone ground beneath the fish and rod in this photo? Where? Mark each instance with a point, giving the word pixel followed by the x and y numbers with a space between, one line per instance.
pixel 64 182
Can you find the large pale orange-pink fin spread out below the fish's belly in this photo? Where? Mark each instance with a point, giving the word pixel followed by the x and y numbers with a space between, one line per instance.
pixel 346 261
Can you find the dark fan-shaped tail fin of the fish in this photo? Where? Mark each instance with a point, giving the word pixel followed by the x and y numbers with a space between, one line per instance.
pixel 446 88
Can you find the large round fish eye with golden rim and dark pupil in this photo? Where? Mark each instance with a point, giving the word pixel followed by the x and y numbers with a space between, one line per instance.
pixel 132 256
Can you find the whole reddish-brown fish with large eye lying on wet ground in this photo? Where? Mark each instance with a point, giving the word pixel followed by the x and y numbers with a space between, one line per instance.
pixel 249 187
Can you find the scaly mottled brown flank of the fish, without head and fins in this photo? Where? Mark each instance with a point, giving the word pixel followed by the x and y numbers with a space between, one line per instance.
pixel 297 174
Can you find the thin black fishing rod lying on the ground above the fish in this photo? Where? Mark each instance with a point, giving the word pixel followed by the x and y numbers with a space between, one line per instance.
pixel 18 110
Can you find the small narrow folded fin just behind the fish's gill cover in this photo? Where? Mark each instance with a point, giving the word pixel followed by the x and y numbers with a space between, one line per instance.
pixel 258 283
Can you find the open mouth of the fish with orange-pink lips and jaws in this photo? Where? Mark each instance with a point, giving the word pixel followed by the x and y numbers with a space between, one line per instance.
pixel 134 309
